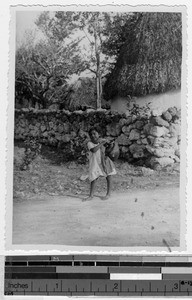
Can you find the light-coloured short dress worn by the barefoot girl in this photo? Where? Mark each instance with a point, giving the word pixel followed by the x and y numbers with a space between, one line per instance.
pixel 99 164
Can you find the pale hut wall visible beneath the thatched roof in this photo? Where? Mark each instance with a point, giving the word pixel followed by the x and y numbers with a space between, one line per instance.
pixel 161 101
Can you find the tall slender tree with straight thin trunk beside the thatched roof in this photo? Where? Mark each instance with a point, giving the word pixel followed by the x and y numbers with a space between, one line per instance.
pixel 93 27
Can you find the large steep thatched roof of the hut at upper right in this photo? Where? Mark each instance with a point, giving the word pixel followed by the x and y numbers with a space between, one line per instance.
pixel 150 59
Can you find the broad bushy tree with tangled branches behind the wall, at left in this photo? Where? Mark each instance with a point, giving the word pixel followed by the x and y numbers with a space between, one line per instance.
pixel 42 70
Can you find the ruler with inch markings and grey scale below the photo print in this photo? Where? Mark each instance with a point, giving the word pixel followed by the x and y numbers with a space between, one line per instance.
pixel 100 275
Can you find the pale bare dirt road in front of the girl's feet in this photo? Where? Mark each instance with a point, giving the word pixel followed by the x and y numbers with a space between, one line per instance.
pixel 132 218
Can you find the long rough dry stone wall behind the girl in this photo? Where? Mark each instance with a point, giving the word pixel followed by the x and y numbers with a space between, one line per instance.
pixel 146 139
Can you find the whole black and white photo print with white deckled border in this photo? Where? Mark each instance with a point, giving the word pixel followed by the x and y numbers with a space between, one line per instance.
pixel 99 135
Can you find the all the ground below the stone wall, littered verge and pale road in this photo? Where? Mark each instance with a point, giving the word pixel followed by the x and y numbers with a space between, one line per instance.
pixel 144 209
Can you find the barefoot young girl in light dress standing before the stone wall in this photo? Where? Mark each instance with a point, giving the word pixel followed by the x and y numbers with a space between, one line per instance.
pixel 99 164
